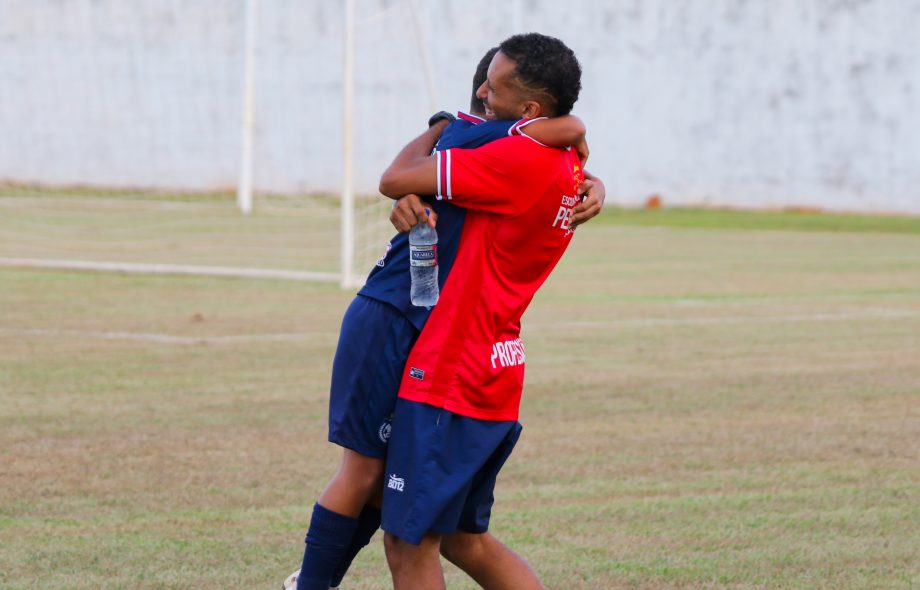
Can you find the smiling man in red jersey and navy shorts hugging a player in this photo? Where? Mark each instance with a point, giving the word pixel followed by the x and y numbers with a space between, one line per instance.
pixel 456 417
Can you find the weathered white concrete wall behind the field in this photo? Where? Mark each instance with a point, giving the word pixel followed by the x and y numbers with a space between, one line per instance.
pixel 725 102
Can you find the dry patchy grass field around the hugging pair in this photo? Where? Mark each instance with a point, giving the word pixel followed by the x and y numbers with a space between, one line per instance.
pixel 704 408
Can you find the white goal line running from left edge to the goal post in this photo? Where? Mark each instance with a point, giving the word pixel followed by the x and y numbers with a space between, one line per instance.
pixel 173 269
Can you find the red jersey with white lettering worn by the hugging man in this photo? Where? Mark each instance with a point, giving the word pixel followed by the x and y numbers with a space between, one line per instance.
pixel 469 358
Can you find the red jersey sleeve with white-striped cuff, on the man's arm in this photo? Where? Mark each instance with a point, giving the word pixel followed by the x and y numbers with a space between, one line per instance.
pixel 503 177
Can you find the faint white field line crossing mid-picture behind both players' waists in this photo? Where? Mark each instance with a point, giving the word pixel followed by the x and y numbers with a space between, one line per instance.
pixel 529 328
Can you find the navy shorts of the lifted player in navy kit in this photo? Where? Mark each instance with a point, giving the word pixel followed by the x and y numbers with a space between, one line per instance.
pixel 374 344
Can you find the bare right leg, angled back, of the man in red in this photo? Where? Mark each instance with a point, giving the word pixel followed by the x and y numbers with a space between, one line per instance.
pixel 489 562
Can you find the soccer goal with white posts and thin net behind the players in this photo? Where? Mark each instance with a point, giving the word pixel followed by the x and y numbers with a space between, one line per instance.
pixel 136 132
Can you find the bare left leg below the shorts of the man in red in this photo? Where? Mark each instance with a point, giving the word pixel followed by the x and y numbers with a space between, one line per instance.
pixel 415 567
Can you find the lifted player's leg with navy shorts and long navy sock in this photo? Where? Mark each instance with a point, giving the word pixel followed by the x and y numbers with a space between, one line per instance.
pixel 373 344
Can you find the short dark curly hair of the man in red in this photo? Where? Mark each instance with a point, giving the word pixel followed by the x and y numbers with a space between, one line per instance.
pixel 545 65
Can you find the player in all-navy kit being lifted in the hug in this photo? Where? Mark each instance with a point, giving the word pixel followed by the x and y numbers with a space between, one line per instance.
pixel 377 333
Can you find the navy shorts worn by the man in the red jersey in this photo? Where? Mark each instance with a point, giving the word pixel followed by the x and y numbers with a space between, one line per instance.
pixel 441 471
